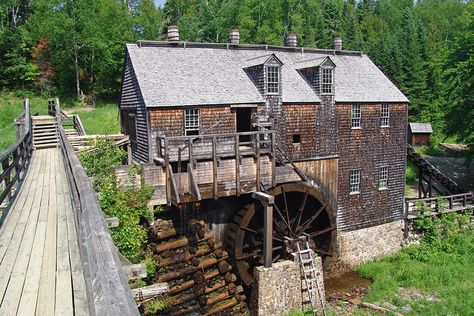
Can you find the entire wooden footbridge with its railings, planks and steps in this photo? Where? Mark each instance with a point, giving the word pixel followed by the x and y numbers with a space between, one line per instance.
pixel 56 254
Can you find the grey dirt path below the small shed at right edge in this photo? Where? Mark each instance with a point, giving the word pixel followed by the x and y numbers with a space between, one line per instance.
pixel 456 169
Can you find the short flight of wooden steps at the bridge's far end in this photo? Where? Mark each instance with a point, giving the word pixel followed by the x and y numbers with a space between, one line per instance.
pixel 45 132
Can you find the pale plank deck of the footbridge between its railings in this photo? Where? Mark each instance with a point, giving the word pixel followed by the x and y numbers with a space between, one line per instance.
pixel 40 266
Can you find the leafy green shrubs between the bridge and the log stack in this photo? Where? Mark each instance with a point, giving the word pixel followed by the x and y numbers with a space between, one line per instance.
pixel 126 202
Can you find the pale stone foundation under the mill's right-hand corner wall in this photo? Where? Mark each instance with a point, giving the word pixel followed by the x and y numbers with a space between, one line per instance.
pixel 366 244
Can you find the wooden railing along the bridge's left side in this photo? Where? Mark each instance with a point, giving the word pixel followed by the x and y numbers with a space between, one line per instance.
pixel 14 161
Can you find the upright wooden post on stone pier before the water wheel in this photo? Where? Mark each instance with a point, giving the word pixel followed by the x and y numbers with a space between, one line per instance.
pixel 267 202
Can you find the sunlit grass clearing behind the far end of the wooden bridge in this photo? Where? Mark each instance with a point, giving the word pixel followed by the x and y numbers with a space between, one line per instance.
pixel 103 119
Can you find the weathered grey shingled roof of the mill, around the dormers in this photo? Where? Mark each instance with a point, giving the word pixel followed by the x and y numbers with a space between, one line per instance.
pixel 204 74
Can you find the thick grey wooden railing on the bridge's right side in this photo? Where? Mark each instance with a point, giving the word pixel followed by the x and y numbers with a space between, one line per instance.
pixel 107 285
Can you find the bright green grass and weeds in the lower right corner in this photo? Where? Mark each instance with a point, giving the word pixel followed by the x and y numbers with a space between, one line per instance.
pixel 441 266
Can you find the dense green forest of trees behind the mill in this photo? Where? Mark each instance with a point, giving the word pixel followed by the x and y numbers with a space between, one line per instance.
pixel 425 47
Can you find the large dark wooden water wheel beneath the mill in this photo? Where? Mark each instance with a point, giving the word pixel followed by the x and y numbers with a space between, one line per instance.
pixel 300 210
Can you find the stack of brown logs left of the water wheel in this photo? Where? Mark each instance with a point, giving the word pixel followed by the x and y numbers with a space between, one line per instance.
pixel 196 268
